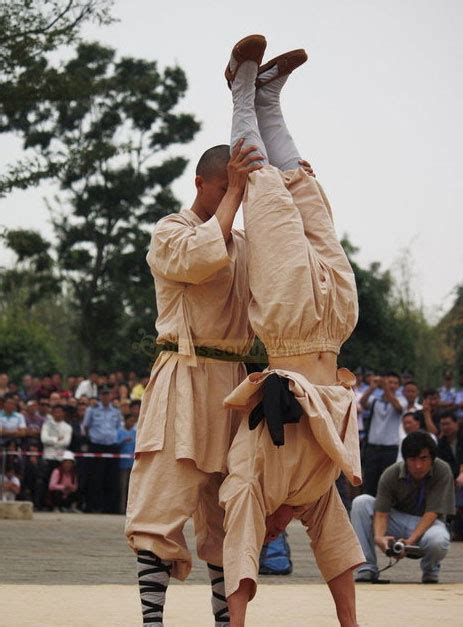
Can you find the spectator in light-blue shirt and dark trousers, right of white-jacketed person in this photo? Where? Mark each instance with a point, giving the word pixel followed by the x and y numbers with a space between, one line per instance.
pixel 102 423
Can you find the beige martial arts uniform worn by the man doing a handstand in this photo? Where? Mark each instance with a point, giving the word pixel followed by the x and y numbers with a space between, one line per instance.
pixel 304 300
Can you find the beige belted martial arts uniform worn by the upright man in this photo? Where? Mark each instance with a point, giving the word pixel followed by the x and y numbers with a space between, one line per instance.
pixel 184 432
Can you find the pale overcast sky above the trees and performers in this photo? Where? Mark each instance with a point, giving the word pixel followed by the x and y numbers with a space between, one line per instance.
pixel 376 110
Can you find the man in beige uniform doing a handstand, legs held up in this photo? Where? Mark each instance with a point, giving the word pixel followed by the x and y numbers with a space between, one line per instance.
pixel 303 307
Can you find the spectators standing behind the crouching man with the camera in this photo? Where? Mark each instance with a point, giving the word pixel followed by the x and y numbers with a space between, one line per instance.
pixel 392 406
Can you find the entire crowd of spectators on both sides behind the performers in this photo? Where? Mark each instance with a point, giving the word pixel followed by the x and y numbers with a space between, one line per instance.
pixel 54 422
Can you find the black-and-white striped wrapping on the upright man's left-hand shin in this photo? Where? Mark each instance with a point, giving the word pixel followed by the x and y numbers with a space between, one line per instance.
pixel 153 579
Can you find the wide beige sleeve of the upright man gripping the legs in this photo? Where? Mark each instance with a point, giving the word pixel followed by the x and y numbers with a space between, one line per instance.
pixel 188 254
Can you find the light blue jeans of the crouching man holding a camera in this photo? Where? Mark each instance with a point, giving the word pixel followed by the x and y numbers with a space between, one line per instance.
pixel 435 541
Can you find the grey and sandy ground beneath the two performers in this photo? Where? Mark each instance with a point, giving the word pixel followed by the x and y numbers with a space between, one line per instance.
pixel 76 570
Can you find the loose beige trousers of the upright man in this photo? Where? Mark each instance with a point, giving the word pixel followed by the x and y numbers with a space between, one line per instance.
pixel 164 492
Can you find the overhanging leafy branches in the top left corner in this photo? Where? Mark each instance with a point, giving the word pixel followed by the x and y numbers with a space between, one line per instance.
pixel 29 30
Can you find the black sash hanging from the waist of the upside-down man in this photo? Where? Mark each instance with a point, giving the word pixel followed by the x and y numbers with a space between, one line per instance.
pixel 278 407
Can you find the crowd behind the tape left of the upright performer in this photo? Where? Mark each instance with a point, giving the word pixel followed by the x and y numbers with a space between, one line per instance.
pixel 48 428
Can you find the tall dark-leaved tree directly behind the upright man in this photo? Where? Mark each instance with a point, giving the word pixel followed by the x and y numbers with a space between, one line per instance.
pixel 106 120
